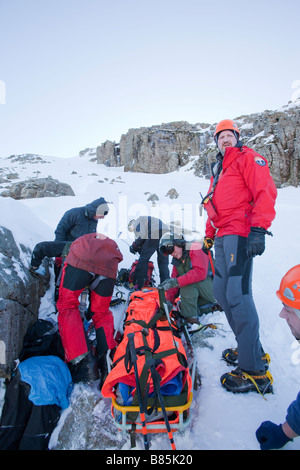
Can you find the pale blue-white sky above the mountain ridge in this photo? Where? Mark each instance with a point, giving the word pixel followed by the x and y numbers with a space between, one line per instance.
pixel 74 73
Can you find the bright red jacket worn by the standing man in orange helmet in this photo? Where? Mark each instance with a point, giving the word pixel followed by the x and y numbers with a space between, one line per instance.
pixel 244 195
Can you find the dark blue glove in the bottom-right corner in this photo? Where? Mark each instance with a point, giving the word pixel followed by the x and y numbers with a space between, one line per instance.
pixel 271 436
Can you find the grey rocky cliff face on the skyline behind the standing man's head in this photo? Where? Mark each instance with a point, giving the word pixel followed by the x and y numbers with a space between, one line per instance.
pixel 164 148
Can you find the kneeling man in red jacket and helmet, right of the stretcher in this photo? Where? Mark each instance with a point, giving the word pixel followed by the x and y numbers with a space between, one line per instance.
pixel 191 274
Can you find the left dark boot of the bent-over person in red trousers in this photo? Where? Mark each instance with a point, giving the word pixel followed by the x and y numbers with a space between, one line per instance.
pixel 84 368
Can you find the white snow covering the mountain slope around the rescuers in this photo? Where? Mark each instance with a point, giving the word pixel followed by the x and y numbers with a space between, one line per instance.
pixel 220 420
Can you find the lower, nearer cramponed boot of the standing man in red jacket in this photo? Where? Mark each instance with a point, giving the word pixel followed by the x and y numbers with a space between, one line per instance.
pixel 241 381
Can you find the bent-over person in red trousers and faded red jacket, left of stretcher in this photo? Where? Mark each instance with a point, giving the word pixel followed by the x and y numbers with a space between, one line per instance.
pixel 90 256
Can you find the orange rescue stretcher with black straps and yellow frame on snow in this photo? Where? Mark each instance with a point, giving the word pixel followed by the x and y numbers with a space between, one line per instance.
pixel 151 377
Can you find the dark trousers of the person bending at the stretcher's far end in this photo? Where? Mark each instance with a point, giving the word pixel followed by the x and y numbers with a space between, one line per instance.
pixel 149 247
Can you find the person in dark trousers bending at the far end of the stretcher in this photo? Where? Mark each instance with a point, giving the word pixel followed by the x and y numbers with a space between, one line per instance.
pixel 148 231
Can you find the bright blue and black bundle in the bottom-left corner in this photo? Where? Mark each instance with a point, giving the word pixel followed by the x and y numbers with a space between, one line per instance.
pixel 39 390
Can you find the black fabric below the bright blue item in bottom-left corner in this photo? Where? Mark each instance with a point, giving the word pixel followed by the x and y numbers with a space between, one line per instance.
pixel 23 425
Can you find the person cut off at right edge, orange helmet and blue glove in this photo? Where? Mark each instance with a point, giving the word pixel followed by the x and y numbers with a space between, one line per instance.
pixel 270 435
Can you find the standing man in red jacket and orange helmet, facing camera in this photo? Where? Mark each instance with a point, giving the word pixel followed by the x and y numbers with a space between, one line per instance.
pixel 240 208
